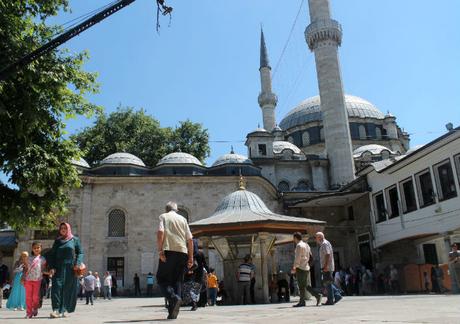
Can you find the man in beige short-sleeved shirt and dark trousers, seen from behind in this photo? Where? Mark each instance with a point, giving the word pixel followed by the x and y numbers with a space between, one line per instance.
pixel 174 241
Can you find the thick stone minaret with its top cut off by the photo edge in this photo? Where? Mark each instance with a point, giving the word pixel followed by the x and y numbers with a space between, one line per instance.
pixel 324 36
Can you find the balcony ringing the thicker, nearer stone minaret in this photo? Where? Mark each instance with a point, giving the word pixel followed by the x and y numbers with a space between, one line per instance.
pixel 323 30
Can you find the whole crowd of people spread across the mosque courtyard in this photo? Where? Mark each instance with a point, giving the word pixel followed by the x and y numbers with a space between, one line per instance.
pixel 185 279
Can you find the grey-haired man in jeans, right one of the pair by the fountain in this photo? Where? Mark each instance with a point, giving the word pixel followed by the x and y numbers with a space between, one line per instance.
pixel 326 255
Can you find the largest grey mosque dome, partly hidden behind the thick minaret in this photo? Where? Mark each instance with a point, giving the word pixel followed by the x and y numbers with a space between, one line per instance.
pixel 309 110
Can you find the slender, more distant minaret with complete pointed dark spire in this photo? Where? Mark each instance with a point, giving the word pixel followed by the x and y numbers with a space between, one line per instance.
pixel 267 99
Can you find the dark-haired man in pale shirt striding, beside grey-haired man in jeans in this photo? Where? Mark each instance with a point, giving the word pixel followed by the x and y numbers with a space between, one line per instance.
pixel 301 269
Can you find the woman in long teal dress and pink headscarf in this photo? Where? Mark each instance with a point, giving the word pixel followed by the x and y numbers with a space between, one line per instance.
pixel 65 258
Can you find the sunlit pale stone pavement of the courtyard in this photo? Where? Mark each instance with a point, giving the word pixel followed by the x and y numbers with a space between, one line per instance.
pixel 376 309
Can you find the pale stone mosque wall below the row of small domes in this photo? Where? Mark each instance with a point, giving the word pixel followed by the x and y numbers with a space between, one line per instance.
pixel 142 200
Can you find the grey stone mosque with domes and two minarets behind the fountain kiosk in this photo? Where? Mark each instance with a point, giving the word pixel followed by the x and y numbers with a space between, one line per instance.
pixel 303 166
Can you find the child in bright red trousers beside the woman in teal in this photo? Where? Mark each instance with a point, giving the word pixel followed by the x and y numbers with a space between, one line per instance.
pixel 33 278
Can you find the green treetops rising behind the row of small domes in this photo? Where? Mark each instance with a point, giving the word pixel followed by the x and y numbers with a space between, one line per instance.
pixel 127 130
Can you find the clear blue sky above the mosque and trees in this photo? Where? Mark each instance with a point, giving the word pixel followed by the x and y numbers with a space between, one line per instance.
pixel 403 56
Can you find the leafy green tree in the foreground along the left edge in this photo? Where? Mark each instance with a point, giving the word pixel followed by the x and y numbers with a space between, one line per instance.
pixel 34 105
